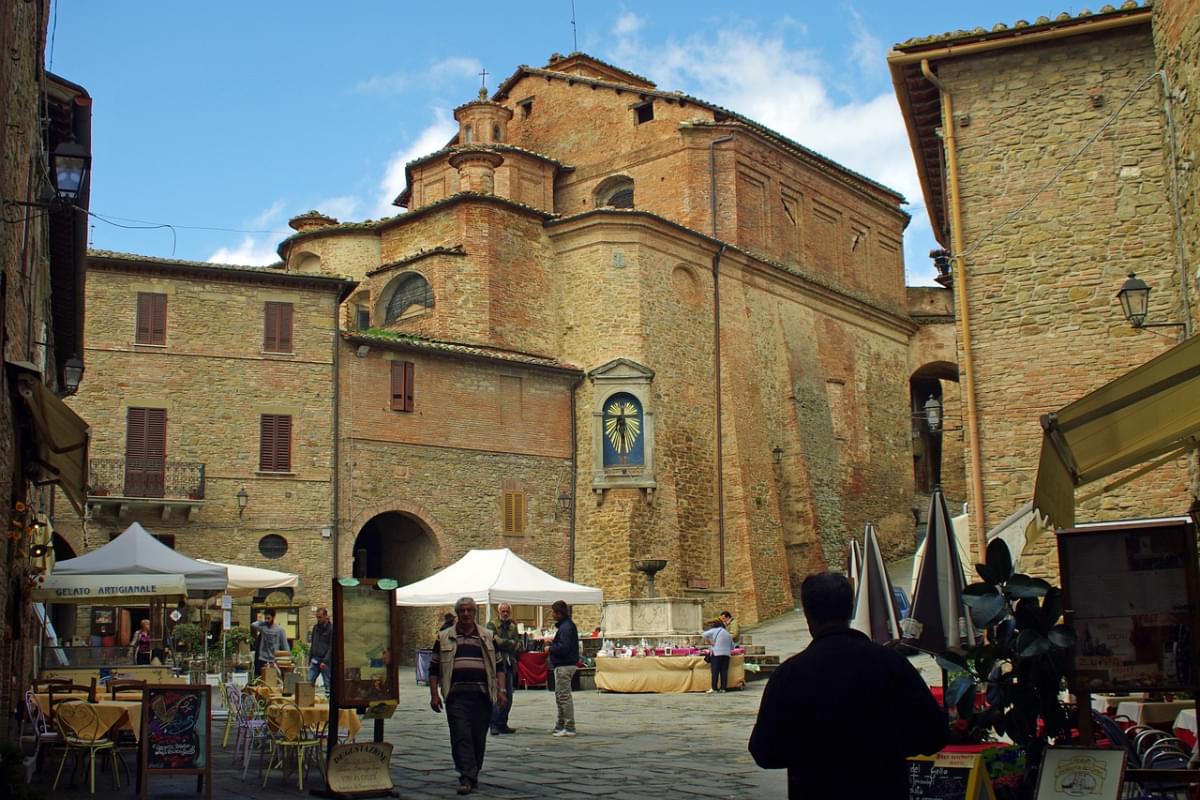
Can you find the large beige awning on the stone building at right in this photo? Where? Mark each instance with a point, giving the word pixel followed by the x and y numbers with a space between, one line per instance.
pixel 1148 413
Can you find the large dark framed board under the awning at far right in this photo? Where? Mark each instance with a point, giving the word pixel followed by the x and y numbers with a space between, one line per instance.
pixel 1129 592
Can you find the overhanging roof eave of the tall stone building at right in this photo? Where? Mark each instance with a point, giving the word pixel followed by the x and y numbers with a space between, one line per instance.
pixel 921 100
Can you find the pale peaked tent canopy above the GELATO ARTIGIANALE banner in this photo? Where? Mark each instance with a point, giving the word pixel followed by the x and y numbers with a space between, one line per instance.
pixel 137 554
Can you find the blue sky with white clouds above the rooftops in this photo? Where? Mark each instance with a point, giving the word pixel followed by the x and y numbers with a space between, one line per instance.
pixel 225 119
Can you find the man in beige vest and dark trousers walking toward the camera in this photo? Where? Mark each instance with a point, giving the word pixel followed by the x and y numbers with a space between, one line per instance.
pixel 466 670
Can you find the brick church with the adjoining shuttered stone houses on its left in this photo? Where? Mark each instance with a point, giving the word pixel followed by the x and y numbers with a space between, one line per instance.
pixel 613 324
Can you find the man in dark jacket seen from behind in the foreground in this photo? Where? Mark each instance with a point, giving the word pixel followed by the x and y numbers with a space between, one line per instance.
pixel 844 714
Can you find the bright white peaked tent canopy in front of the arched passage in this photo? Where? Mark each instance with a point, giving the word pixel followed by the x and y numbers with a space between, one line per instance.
pixel 493 578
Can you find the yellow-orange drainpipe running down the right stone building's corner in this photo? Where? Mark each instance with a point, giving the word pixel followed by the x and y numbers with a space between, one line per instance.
pixel 963 309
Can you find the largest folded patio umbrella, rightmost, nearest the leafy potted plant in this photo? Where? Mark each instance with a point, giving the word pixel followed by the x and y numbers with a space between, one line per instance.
pixel 940 621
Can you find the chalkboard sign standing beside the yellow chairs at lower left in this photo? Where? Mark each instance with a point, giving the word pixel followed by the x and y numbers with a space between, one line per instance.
pixel 177 733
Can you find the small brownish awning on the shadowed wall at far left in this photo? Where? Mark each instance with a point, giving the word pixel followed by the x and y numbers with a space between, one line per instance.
pixel 61 436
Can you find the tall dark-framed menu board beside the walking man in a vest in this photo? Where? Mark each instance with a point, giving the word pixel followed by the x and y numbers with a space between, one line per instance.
pixel 365 619
